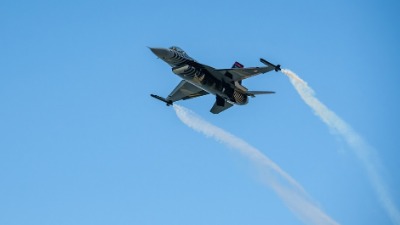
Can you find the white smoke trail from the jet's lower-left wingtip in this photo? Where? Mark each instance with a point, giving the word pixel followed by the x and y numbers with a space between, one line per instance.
pixel 287 188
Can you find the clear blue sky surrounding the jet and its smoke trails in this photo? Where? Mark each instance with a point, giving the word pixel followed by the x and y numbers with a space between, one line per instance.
pixel 81 141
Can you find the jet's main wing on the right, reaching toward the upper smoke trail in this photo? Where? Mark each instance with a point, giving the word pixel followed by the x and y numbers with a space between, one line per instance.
pixel 238 74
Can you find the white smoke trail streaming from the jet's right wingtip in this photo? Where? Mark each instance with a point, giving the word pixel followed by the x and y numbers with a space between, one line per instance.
pixel 365 153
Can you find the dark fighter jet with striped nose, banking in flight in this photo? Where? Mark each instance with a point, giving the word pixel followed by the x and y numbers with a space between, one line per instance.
pixel 200 79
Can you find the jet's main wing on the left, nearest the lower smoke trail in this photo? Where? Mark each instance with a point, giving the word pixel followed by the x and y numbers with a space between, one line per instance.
pixel 185 90
